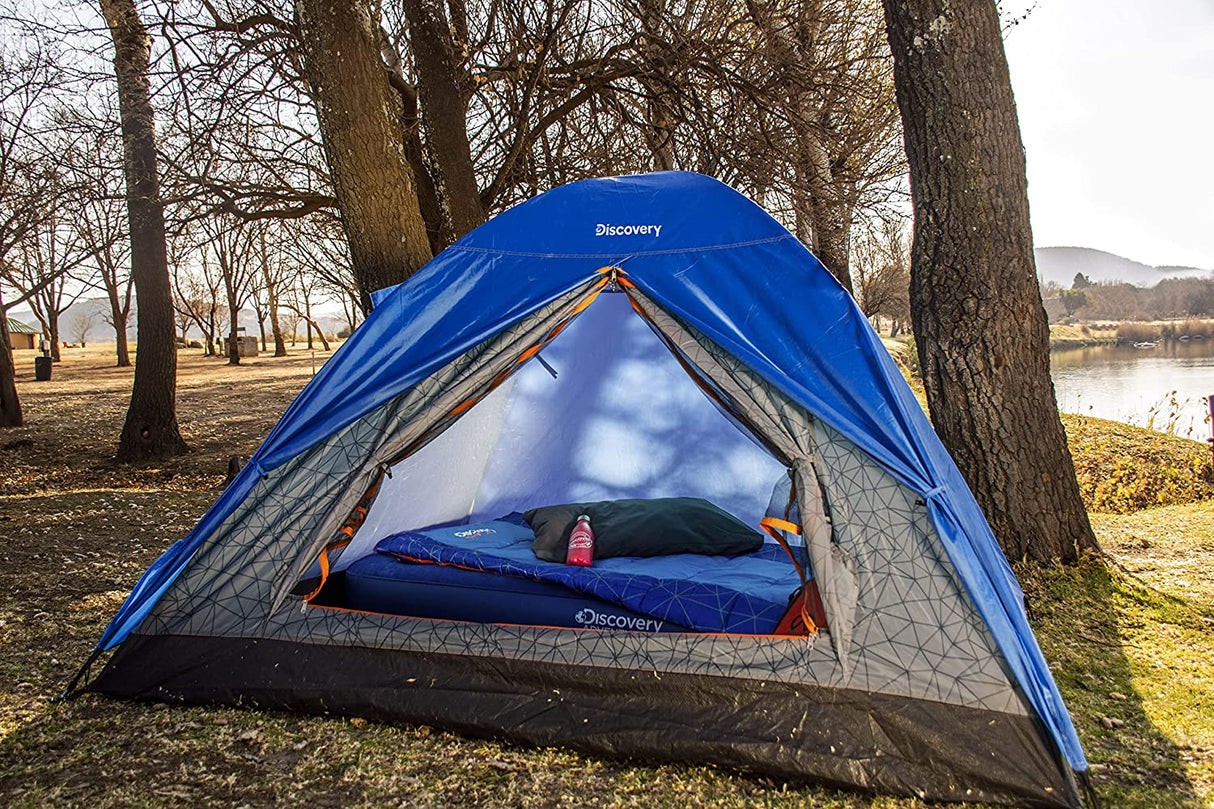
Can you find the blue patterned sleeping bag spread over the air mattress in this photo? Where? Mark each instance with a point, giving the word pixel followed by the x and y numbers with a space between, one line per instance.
pixel 735 595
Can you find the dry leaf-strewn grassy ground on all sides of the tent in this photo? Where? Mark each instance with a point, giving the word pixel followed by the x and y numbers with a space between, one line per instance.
pixel 1128 638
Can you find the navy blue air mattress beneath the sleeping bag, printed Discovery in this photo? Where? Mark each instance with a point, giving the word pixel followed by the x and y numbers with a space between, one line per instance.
pixel 383 584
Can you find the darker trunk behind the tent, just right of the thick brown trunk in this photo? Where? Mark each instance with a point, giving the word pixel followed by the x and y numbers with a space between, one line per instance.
pixel 446 117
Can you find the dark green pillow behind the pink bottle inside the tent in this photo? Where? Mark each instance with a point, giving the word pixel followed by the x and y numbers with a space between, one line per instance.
pixel 657 528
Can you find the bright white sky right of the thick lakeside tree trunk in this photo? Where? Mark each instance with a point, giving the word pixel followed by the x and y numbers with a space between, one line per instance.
pixel 1116 103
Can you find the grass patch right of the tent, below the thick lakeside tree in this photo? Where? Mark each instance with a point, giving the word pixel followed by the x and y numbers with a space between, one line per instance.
pixel 1131 647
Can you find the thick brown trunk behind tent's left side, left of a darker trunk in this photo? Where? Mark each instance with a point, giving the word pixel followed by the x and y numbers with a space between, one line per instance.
pixel 364 143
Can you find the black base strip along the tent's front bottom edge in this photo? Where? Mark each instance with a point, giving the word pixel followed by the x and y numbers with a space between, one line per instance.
pixel 838 738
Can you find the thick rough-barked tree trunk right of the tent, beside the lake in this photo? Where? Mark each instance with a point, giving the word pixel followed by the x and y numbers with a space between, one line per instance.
pixel 978 314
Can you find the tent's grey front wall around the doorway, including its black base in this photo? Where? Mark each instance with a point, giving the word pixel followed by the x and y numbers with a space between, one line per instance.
pixel 910 694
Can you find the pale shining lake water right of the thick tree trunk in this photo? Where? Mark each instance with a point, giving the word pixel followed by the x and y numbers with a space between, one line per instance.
pixel 1164 388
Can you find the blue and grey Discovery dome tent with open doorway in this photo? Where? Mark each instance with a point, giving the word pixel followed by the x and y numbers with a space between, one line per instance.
pixel 691 348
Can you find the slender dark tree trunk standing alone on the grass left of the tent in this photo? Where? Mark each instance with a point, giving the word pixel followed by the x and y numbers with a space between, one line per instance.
pixel 151 429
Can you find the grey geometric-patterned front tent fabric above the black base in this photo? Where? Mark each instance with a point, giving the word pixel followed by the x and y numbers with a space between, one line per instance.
pixel 915 632
